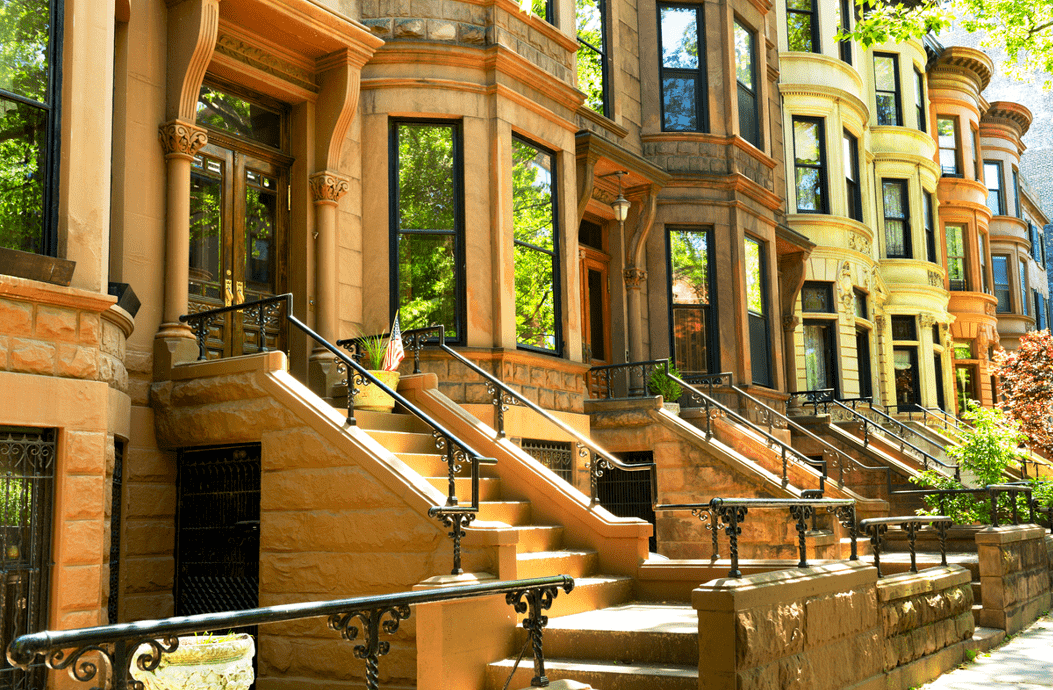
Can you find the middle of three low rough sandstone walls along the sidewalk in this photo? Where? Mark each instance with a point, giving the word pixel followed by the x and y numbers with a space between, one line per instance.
pixel 925 615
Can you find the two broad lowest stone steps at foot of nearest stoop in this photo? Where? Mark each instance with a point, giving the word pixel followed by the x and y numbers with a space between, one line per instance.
pixel 628 647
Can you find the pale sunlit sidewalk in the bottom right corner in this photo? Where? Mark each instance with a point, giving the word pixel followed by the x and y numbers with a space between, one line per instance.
pixel 1025 663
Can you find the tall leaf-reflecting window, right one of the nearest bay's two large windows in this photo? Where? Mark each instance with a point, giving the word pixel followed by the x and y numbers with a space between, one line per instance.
pixel 537 240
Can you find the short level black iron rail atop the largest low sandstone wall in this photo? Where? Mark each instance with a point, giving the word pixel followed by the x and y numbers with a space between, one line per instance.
pixel 729 514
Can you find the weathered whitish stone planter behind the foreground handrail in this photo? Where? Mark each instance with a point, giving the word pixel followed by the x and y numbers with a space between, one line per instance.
pixel 202 663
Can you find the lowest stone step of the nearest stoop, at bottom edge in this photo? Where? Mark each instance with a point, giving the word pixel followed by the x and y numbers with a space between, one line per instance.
pixel 597 674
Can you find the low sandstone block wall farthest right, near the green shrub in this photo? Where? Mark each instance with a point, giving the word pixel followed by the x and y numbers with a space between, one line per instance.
pixel 1015 566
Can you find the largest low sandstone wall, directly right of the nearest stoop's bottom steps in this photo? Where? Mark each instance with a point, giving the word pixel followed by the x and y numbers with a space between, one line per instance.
pixel 817 628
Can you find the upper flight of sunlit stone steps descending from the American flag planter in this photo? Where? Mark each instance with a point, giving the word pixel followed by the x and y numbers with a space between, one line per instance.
pixel 541 548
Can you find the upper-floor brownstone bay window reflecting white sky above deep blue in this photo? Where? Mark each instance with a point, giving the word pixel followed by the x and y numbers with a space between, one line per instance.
pixel 683 69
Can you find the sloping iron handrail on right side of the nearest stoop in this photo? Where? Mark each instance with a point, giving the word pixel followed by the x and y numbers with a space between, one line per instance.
pixel 503 397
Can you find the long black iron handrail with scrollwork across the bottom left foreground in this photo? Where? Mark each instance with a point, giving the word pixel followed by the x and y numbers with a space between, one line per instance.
pixel 116 645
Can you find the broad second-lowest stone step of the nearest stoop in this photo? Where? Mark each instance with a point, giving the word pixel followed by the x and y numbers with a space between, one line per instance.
pixel 628 635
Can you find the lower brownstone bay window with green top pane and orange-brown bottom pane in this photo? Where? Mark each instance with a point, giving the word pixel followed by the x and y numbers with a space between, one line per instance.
pixel 692 323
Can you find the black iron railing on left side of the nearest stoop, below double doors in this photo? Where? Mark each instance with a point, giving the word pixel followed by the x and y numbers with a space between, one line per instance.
pixel 454 515
